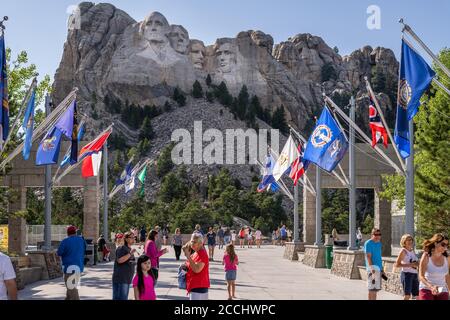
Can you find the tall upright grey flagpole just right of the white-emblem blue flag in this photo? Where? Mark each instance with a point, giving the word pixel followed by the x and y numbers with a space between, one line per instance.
pixel 352 173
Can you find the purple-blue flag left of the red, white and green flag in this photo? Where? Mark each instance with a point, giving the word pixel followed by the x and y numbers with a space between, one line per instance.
pixel 48 151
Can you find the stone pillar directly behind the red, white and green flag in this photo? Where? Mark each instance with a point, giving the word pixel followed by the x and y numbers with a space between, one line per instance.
pixel 91 210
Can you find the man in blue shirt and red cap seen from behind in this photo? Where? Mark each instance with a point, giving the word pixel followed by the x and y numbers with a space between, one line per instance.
pixel 72 251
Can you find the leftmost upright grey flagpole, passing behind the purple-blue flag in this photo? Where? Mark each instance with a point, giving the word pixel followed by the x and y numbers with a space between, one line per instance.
pixel 48 192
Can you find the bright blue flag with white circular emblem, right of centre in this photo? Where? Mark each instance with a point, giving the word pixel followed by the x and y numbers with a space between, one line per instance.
pixel 327 145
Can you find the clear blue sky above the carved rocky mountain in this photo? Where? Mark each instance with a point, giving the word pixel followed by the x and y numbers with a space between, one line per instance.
pixel 40 27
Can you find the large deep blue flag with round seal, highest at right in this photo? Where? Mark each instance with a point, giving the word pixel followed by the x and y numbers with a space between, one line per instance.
pixel 415 77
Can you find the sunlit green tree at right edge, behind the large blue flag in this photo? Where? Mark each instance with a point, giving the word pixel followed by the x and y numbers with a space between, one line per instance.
pixel 432 183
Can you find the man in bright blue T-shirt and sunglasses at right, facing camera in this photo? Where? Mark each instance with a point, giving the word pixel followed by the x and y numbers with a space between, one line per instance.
pixel 374 263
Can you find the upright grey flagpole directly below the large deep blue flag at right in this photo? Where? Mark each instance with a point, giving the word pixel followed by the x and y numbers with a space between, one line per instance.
pixel 409 219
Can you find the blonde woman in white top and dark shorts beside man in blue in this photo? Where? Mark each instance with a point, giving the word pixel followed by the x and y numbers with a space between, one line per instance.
pixel 408 261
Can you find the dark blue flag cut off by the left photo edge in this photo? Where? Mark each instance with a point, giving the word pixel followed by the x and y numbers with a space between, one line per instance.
pixel 4 101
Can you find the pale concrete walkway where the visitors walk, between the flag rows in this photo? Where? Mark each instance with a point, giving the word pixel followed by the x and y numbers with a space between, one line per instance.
pixel 262 274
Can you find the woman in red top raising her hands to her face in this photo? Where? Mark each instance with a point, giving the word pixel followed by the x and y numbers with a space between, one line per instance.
pixel 197 277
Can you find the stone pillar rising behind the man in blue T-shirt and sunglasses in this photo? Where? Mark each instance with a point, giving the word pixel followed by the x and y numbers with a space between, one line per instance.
pixel 383 221
